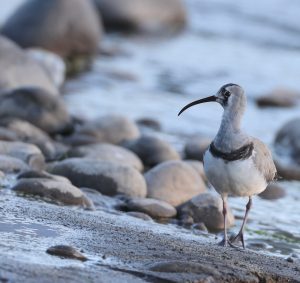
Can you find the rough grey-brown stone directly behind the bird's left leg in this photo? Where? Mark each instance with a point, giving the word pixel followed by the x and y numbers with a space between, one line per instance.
pixel 207 208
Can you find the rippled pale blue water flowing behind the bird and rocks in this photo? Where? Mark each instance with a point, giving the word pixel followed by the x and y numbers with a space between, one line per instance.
pixel 255 44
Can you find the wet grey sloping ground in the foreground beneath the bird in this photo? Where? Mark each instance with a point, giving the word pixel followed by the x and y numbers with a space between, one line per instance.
pixel 120 249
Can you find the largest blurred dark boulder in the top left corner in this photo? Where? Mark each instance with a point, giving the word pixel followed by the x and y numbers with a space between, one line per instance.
pixel 65 27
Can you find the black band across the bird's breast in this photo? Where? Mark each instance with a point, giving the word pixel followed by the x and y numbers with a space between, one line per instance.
pixel 242 153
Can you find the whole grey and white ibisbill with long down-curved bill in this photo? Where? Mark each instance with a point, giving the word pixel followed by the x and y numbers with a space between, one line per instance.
pixel 235 163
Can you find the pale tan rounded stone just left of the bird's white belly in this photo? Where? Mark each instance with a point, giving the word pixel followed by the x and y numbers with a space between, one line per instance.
pixel 174 182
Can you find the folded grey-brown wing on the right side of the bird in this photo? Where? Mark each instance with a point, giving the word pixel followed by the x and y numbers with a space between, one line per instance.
pixel 263 160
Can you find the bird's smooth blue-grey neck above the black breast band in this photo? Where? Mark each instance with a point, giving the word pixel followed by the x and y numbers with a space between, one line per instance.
pixel 230 136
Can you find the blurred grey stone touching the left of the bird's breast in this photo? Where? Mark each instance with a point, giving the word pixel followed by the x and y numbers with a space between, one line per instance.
pixel 196 147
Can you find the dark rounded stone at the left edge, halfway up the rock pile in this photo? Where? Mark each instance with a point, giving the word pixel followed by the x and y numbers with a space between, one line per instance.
pixel 38 107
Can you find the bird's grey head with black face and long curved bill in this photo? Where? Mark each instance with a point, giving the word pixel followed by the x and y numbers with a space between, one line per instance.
pixel 230 96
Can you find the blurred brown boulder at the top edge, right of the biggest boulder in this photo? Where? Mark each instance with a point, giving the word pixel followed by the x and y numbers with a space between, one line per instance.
pixel 142 15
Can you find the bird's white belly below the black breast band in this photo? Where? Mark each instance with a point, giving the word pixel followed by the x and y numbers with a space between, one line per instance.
pixel 237 178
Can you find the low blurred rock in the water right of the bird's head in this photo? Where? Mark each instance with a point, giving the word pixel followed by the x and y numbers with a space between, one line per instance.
pixel 278 98
